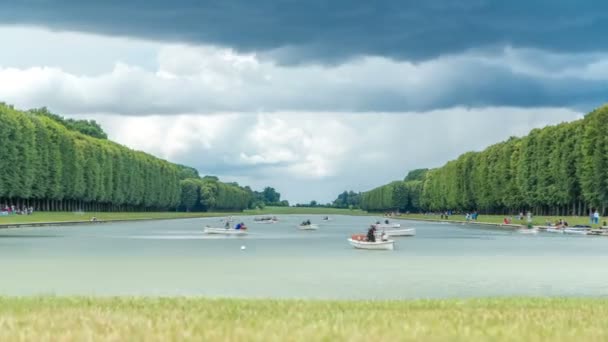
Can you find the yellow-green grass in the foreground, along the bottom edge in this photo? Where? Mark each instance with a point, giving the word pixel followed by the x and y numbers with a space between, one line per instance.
pixel 178 319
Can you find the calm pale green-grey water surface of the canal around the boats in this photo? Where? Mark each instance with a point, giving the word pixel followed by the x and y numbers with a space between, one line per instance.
pixel 174 257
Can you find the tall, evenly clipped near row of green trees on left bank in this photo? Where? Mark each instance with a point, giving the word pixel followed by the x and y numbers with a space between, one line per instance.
pixel 51 167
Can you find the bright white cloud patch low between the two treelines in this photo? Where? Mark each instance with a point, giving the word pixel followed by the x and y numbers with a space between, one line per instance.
pixel 317 156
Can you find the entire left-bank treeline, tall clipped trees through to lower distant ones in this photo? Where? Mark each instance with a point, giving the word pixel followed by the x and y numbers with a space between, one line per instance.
pixel 52 163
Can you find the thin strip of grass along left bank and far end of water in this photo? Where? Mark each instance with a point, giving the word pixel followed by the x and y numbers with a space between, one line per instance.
pixel 71 216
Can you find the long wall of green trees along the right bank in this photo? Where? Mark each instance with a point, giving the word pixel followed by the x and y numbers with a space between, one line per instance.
pixel 556 170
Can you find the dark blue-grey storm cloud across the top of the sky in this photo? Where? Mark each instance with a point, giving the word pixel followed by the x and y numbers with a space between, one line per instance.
pixel 330 31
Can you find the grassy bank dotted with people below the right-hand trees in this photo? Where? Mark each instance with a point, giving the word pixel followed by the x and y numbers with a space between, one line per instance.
pixel 498 219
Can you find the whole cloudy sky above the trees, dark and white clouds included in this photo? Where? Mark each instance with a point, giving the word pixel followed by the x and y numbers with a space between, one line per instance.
pixel 309 97
